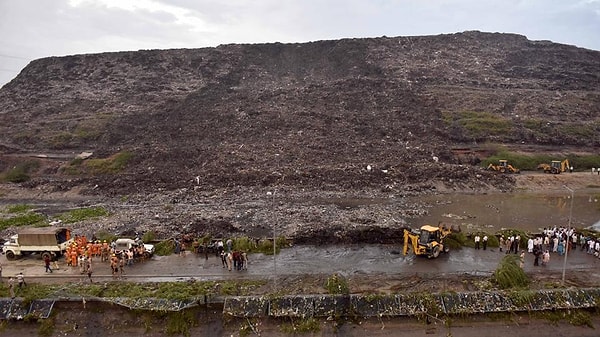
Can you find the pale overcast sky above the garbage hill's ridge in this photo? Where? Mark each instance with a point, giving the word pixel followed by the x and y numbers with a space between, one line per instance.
pixel 31 29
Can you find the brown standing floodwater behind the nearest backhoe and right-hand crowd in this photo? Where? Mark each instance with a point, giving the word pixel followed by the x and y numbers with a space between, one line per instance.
pixel 528 211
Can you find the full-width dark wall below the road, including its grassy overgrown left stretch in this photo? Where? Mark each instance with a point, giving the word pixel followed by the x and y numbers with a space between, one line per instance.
pixel 410 304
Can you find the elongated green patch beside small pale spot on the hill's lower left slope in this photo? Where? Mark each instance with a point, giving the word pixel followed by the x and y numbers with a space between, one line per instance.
pixel 111 165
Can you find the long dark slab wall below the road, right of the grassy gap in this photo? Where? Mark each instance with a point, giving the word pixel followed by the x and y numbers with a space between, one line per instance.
pixel 410 304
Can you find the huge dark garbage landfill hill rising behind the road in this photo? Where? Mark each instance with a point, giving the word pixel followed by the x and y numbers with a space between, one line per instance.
pixel 315 115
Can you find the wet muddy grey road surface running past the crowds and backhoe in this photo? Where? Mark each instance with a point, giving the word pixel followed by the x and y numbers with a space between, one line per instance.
pixel 346 260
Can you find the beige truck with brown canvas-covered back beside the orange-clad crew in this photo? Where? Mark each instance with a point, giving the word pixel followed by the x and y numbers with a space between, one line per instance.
pixel 45 241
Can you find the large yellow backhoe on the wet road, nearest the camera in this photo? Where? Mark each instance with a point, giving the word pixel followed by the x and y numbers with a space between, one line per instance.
pixel 428 241
